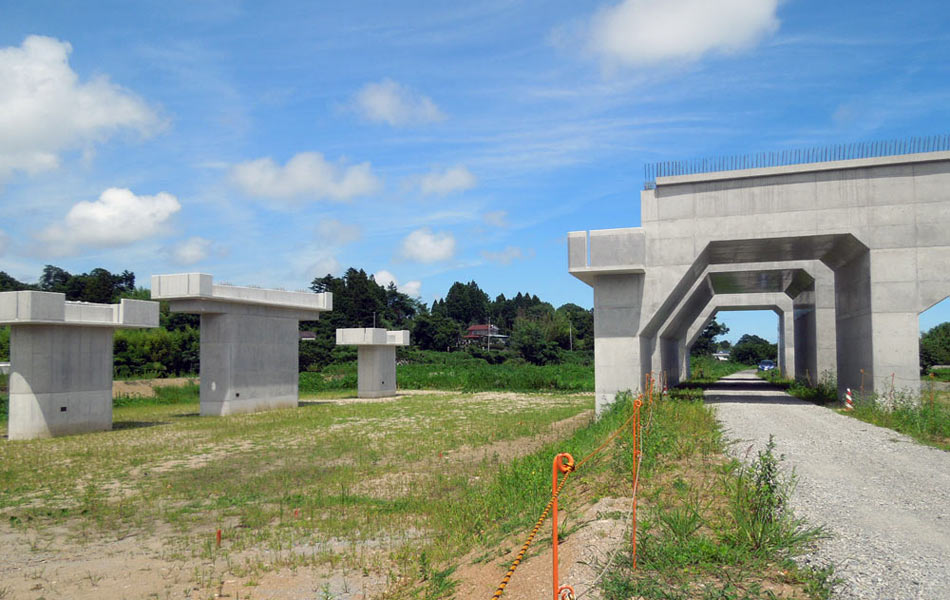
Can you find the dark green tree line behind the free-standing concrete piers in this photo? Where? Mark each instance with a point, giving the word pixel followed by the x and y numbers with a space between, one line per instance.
pixel 532 330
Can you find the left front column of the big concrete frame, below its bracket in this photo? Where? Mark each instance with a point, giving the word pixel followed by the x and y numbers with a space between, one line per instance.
pixel 617 301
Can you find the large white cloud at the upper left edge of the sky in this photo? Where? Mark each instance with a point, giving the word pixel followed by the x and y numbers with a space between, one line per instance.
pixel 45 109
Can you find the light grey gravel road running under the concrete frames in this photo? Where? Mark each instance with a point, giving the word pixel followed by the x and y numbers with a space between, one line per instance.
pixel 884 498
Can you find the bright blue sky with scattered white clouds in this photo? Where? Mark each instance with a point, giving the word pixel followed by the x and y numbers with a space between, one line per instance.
pixel 428 142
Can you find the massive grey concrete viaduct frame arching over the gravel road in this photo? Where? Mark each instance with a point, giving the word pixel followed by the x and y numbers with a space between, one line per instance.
pixel 851 251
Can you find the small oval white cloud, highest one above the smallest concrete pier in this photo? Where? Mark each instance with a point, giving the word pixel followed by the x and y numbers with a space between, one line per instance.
pixel 390 102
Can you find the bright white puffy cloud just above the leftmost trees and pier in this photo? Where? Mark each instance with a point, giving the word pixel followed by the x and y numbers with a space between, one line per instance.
pixel 117 218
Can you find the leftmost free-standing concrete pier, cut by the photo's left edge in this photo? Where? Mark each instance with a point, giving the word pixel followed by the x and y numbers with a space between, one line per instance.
pixel 61 361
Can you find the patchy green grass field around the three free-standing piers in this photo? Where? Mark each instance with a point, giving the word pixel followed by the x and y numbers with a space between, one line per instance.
pixel 331 485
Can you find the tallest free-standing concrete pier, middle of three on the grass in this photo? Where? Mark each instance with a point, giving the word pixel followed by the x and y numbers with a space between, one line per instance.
pixel 249 340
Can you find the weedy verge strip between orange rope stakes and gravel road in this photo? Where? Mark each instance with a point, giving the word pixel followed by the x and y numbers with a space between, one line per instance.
pixel 711 527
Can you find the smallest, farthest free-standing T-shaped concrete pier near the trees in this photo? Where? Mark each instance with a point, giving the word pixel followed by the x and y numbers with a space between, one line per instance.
pixel 376 353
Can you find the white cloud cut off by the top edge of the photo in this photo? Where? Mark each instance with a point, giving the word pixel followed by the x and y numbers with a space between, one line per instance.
pixel 648 32
